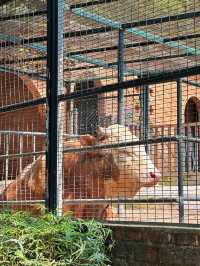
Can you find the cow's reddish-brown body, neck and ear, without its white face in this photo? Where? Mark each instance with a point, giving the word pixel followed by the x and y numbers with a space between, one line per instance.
pixel 84 174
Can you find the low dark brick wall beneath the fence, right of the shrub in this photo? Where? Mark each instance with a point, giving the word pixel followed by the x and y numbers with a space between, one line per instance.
pixel 155 246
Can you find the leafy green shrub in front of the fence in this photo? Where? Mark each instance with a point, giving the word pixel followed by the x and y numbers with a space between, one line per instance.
pixel 50 240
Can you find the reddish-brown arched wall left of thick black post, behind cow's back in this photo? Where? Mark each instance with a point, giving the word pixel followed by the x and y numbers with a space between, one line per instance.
pixel 14 89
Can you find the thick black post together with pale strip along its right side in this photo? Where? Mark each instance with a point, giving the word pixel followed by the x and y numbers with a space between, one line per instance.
pixel 55 16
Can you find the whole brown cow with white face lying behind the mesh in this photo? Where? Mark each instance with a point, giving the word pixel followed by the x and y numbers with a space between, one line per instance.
pixel 107 173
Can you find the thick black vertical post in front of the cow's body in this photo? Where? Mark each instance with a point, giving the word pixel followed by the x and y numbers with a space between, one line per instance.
pixel 52 101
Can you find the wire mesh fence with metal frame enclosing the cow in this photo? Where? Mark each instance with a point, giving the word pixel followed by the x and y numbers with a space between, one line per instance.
pixel 100 108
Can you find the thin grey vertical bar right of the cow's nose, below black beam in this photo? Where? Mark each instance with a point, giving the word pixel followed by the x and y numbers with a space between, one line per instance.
pixel 180 151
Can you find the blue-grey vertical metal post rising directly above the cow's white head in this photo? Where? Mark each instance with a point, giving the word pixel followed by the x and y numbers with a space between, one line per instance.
pixel 121 69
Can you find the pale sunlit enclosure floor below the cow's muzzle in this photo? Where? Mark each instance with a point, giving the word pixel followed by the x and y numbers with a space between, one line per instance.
pixel 167 212
